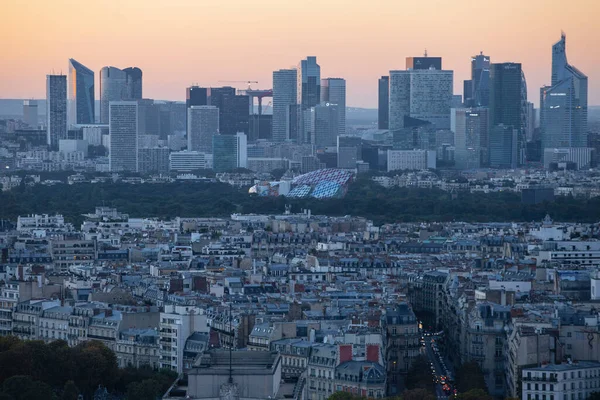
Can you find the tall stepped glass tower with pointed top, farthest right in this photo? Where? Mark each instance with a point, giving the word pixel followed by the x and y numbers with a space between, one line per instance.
pixel 563 104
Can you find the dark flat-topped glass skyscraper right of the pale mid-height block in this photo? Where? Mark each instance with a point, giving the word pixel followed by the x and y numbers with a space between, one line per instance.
pixel 507 107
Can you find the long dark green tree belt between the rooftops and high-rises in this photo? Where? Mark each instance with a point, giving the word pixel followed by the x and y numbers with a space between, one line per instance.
pixel 363 198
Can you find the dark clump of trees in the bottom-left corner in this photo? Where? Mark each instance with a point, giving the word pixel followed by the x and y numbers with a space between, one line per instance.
pixel 34 370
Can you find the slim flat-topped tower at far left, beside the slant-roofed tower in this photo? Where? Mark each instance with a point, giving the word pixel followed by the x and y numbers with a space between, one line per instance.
pixel 56 109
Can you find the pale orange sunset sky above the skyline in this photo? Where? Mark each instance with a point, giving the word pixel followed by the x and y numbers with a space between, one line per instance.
pixel 180 42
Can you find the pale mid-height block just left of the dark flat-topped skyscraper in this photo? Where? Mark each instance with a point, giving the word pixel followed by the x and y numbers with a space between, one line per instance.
pixel 470 127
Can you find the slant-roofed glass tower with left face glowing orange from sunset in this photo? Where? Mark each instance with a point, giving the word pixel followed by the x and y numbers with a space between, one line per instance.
pixel 81 94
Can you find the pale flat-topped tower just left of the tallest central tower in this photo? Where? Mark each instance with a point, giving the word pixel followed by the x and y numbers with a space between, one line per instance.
pixel 284 96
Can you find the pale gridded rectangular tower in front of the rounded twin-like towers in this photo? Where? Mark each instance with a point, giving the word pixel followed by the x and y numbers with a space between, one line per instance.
pixel 123 132
